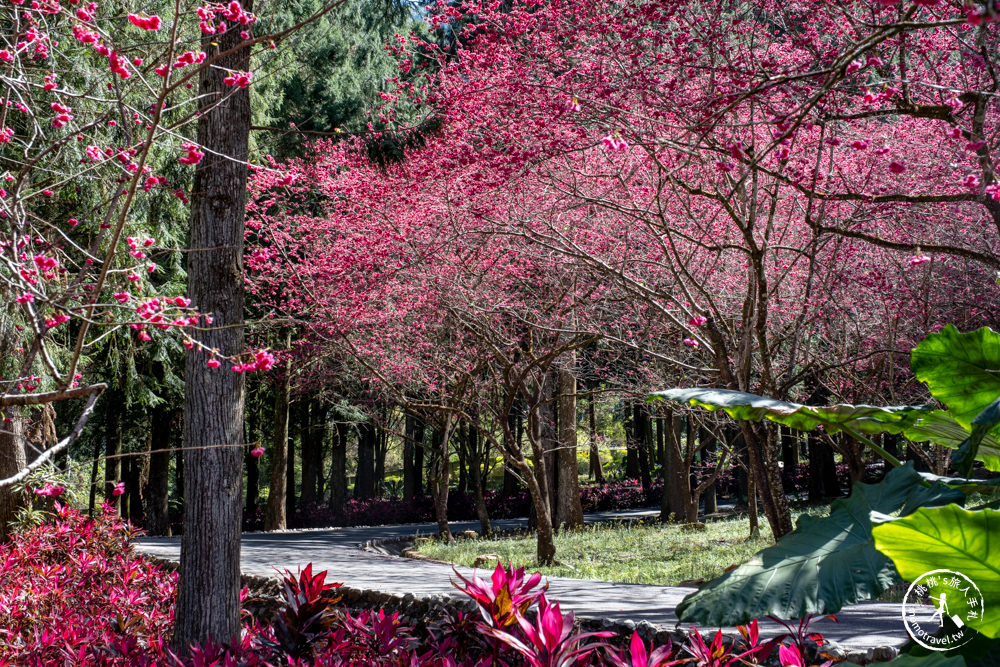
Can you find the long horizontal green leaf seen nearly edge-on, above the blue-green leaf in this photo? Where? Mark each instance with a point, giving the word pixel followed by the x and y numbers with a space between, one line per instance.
pixel 913 422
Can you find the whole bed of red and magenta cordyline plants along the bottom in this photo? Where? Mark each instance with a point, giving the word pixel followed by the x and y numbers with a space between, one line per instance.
pixel 73 591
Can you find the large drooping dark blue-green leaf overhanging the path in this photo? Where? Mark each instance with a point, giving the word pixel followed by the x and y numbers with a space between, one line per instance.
pixel 823 564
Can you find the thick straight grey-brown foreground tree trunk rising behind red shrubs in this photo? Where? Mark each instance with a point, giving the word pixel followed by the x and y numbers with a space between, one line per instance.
pixel 208 592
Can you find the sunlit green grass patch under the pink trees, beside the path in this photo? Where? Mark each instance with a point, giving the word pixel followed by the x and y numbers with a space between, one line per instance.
pixel 627 552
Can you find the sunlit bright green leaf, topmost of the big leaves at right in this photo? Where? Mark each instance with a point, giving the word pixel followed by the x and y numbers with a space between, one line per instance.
pixel 961 370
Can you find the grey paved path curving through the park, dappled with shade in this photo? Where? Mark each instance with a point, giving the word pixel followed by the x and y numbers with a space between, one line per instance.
pixel 340 550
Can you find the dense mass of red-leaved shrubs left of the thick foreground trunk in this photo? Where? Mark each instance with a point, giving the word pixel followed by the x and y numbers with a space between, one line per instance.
pixel 73 589
